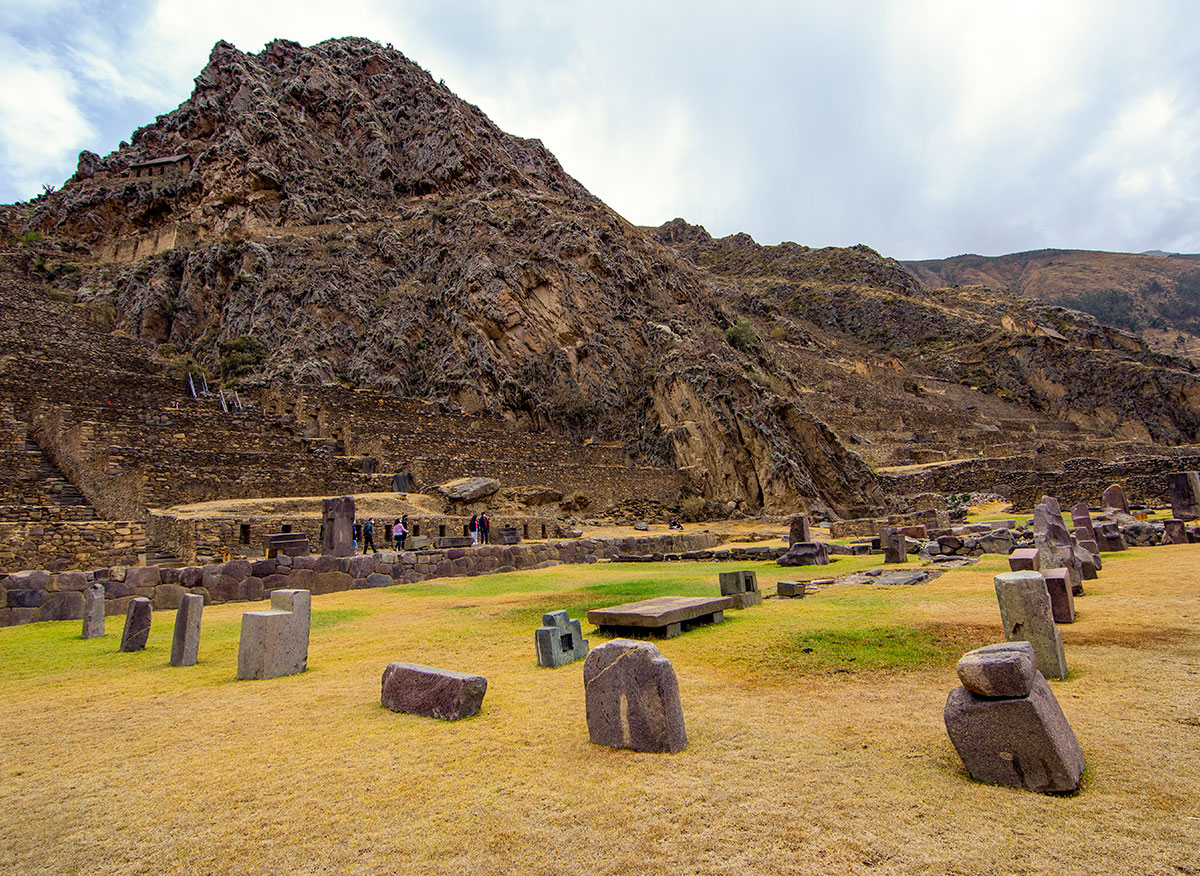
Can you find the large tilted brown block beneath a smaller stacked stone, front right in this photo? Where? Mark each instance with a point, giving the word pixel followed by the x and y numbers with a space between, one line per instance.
pixel 1024 742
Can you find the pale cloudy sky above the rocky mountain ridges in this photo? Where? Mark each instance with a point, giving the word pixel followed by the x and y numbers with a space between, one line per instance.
pixel 921 128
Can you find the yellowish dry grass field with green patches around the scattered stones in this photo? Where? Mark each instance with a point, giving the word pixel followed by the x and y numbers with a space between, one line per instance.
pixel 815 739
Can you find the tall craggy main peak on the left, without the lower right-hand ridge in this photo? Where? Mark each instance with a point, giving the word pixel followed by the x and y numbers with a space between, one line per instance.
pixel 369 229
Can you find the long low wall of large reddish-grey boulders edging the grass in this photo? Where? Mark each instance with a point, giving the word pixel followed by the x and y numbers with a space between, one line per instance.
pixel 37 596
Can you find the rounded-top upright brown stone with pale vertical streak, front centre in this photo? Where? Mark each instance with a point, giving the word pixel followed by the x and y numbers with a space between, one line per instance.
pixel 633 699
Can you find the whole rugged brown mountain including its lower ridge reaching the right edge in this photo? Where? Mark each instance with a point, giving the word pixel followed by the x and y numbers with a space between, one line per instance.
pixel 332 215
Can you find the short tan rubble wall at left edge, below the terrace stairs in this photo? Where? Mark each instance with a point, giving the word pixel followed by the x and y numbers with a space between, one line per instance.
pixel 62 545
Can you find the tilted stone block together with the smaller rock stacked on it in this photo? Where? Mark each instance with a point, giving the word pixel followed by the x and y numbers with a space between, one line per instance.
pixel 1007 725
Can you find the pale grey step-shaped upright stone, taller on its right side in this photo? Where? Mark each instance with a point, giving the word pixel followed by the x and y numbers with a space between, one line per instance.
pixel 275 643
